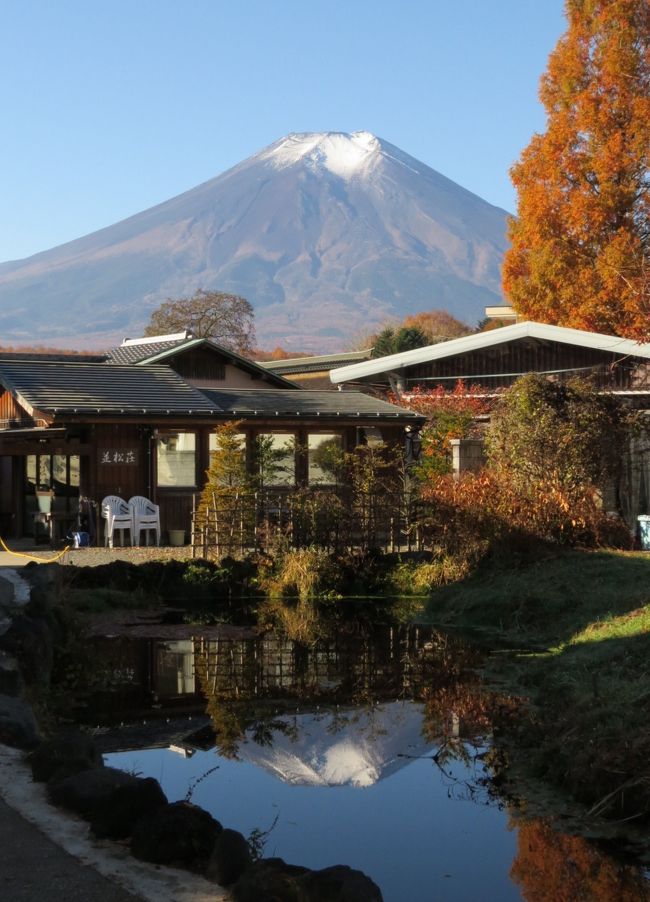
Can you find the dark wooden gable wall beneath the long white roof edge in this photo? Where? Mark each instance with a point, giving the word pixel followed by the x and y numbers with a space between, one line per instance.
pixel 500 365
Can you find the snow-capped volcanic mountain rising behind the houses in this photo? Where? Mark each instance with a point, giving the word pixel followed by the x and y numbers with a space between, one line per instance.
pixel 326 234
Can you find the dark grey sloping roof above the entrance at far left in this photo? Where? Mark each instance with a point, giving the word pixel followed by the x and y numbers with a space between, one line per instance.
pixel 93 388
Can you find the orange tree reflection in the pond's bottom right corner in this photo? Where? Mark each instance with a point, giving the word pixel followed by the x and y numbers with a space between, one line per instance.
pixel 554 867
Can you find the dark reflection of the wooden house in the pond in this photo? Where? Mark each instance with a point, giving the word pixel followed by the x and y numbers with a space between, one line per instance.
pixel 389 663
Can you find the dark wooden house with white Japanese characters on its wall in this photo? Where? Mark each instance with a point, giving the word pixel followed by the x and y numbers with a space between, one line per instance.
pixel 141 420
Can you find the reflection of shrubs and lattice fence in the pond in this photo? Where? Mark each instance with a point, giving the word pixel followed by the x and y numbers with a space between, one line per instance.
pixel 246 681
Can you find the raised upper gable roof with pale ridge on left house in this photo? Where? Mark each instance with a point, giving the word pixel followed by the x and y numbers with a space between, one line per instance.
pixel 161 348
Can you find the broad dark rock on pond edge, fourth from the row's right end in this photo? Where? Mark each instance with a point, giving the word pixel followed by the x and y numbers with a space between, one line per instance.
pixel 179 834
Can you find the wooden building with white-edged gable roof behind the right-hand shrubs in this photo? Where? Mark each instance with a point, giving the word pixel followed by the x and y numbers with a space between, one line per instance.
pixel 494 360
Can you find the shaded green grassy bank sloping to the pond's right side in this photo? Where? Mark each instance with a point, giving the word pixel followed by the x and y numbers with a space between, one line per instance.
pixel 578 625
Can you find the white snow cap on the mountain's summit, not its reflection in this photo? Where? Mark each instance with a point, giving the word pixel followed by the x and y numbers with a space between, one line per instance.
pixel 345 155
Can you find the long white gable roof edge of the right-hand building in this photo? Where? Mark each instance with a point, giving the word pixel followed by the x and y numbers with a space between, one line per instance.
pixel 394 362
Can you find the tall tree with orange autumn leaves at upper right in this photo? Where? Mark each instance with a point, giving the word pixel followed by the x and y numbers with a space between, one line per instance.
pixel 580 253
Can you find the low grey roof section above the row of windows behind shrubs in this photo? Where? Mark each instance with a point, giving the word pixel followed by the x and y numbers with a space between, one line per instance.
pixel 273 402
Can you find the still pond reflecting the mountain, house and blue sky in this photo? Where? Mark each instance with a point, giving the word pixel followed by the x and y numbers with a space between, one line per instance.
pixel 368 746
